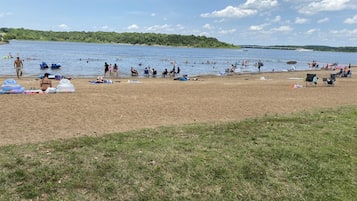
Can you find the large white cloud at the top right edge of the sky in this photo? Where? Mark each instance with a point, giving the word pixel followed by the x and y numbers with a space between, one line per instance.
pixel 324 5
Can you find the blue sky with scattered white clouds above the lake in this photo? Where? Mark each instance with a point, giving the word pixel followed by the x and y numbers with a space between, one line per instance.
pixel 248 22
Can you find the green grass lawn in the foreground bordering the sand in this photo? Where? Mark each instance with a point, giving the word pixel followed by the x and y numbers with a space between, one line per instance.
pixel 304 156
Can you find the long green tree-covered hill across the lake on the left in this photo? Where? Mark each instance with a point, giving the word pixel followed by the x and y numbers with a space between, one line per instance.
pixel 114 37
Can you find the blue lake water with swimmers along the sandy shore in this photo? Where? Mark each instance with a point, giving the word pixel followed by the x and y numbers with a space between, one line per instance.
pixel 87 59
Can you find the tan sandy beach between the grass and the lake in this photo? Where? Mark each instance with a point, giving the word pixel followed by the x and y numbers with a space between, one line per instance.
pixel 99 109
